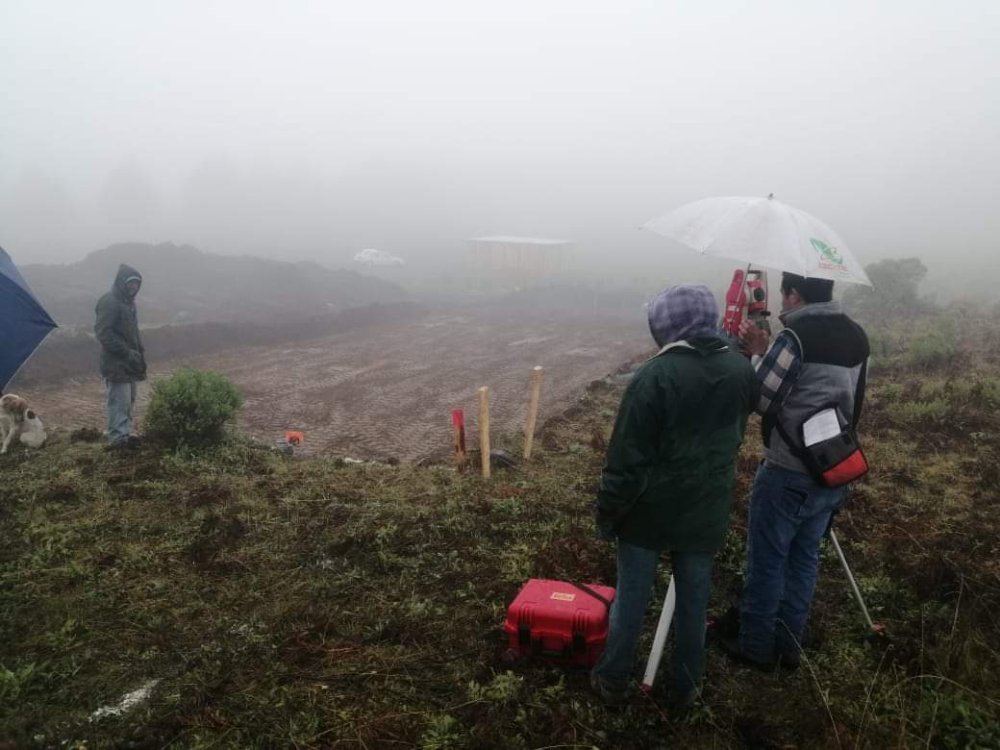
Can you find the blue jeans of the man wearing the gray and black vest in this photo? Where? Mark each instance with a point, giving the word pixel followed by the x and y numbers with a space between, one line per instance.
pixel 789 513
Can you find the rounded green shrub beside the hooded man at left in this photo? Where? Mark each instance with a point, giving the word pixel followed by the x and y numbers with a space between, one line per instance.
pixel 191 407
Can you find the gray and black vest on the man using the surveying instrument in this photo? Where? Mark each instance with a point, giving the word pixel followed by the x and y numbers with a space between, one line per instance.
pixel 833 349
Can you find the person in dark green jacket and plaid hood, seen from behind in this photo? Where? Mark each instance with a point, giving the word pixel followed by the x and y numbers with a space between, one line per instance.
pixel 667 484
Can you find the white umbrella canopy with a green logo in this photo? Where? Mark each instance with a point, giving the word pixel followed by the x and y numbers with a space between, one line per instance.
pixel 764 232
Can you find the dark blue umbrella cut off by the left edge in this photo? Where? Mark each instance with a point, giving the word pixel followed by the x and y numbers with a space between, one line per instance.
pixel 23 321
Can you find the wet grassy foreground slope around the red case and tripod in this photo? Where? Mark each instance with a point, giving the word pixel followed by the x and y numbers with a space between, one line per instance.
pixel 285 602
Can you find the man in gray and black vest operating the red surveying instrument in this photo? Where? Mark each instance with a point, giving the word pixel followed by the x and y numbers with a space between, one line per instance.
pixel 818 360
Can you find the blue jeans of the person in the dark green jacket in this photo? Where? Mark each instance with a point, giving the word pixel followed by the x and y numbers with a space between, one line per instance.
pixel 636 572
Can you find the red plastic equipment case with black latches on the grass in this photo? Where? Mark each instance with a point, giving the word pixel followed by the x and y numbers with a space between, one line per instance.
pixel 559 621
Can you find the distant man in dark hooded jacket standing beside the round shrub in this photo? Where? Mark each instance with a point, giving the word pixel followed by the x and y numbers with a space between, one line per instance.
pixel 123 361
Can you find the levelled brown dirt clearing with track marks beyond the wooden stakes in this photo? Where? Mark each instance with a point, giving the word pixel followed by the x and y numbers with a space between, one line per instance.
pixel 388 391
